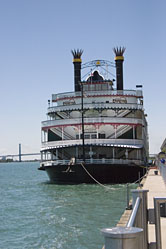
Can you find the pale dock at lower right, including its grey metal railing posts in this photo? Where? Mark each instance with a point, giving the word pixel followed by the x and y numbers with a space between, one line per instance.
pixel 143 225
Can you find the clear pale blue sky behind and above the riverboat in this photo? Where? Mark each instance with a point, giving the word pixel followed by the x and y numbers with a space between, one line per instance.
pixel 36 37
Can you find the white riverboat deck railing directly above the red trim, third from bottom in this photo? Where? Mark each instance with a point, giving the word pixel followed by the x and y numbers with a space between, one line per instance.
pixel 105 120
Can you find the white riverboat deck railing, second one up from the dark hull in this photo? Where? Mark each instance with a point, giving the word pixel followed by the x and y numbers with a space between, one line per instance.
pixel 126 143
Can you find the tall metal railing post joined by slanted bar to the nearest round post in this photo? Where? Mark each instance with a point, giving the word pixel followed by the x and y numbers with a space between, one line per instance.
pixel 143 221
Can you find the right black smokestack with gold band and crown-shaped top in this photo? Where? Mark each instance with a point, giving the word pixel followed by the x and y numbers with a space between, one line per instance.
pixel 119 66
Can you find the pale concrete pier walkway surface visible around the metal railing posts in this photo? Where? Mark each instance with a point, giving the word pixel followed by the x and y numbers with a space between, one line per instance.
pixel 156 188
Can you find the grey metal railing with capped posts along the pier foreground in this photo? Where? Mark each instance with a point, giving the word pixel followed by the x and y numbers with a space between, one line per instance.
pixel 135 233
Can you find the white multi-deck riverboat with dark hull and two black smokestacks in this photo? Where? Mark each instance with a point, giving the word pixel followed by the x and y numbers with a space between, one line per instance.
pixel 96 133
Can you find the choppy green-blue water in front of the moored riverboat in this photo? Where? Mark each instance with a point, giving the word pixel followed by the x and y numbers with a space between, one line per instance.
pixel 37 215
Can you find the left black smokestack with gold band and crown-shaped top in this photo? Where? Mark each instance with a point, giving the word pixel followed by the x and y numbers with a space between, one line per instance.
pixel 77 68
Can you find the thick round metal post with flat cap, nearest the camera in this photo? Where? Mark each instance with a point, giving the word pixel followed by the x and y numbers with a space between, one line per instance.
pixel 122 237
